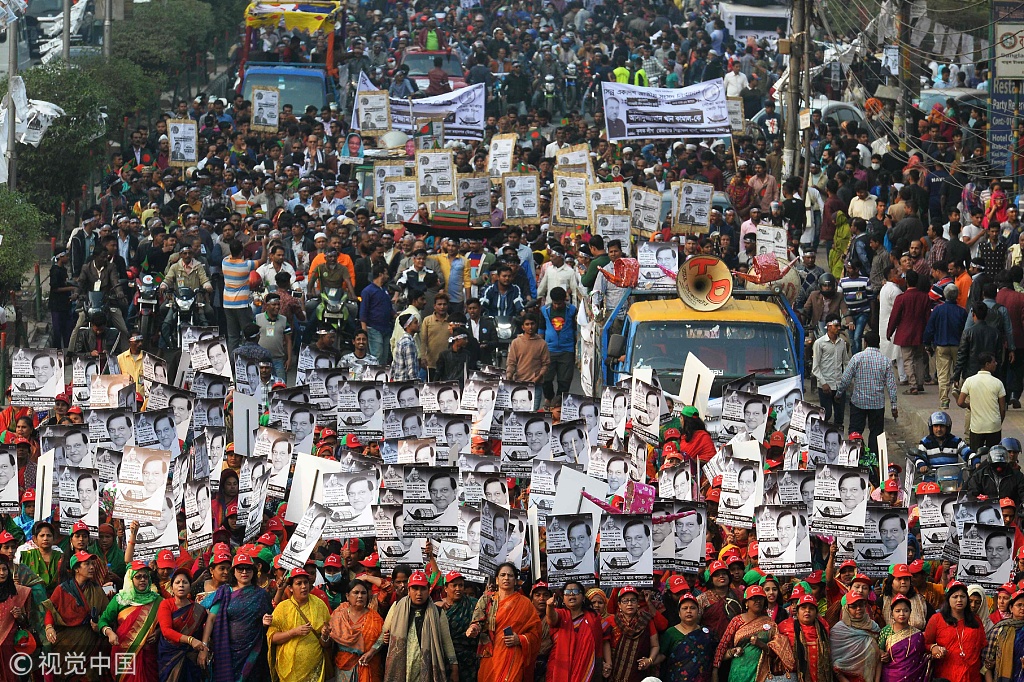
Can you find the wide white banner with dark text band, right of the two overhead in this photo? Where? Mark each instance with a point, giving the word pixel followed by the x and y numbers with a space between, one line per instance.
pixel 633 113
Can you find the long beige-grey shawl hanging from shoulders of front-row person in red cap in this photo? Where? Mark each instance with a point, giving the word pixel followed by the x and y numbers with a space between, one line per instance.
pixel 436 644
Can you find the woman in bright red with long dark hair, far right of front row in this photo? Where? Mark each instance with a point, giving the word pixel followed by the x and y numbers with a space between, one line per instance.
pixel 956 638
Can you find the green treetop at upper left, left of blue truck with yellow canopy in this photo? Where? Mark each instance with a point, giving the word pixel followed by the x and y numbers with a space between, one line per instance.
pixel 164 37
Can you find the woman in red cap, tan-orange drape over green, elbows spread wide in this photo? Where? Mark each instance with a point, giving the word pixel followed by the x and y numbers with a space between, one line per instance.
pixel 753 644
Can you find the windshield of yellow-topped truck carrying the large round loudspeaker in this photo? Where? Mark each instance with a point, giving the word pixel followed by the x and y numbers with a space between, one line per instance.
pixel 730 350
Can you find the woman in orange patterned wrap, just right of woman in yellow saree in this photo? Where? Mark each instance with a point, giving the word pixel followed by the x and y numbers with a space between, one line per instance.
pixel 355 628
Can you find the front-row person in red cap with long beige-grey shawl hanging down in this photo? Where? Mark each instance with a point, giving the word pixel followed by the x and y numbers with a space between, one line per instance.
pixel 420 648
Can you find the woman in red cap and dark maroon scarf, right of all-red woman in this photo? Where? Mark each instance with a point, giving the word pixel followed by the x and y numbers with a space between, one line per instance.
pixel 630 641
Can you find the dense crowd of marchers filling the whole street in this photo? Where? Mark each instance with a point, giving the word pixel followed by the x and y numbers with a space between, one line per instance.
pixel 925 260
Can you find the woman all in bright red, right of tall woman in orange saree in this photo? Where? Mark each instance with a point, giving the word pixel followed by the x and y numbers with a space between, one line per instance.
pixel 577 637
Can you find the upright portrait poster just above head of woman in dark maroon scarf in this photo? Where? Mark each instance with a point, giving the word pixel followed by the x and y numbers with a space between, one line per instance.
pixel 627 550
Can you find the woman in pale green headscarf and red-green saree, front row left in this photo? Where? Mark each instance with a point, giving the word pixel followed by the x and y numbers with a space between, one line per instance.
pixel 130 624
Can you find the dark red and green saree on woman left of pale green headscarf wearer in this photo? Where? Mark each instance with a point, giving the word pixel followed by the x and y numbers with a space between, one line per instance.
pixel 72 607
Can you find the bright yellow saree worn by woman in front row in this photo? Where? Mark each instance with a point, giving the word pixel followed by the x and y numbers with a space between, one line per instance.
pixel 301 659
